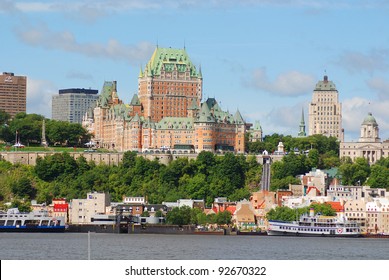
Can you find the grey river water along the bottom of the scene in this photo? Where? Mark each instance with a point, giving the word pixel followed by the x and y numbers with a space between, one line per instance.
pixel 74 246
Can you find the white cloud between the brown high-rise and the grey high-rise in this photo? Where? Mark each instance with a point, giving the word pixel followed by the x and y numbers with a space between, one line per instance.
pixel 39 96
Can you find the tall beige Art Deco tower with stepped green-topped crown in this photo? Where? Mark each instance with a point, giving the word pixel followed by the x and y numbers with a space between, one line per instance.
pixel 325 111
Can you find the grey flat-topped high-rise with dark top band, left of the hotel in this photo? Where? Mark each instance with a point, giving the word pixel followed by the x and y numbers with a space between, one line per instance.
pixel 72 104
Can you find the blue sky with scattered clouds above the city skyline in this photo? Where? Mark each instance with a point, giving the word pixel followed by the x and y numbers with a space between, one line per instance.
pixel 261 57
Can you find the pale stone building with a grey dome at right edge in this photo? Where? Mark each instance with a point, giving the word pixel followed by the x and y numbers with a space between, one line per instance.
pixel 369 145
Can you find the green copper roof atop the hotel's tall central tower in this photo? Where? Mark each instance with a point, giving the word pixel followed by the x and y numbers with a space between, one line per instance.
pixel 169 59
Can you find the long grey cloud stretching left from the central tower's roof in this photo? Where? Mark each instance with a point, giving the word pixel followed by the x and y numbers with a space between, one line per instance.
pixel 41 36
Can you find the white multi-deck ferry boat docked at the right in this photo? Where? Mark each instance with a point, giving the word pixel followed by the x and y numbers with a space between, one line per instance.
pixel 315 225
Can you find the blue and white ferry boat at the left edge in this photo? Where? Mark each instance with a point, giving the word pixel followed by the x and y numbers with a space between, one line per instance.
pixel 14 221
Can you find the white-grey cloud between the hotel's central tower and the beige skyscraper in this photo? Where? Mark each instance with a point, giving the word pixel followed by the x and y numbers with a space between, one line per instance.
pixel 291 84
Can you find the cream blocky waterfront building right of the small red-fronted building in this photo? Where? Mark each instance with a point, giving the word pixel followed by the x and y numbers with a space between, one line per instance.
pixel 83 210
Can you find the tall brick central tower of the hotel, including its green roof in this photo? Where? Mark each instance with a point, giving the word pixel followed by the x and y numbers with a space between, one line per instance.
pixel 169 84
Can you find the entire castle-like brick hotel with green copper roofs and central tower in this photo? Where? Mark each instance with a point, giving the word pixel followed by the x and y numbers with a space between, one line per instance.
pixel 166 114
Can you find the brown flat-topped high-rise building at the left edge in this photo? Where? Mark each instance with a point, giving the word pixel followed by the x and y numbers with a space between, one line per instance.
pixel 13 91
